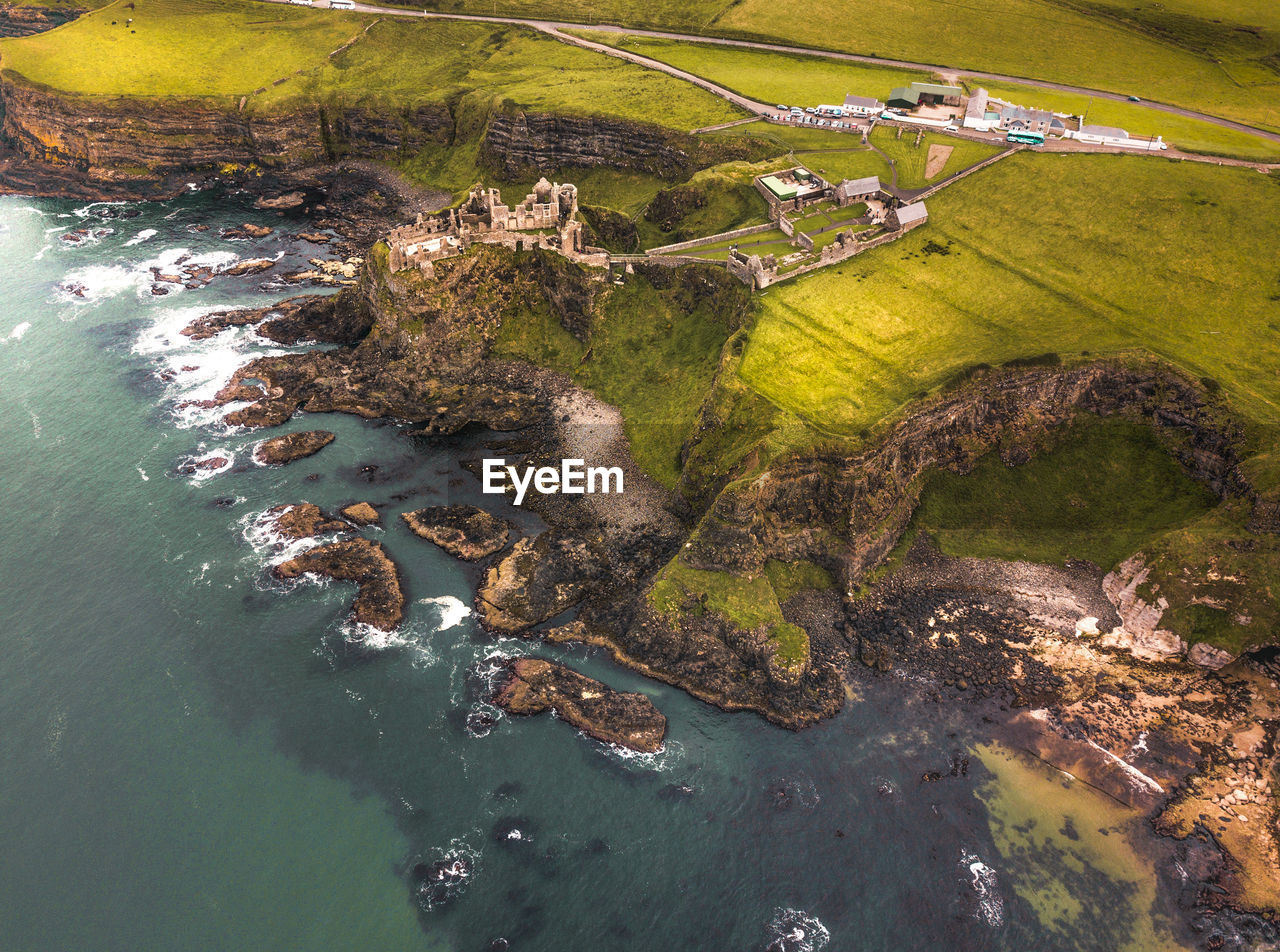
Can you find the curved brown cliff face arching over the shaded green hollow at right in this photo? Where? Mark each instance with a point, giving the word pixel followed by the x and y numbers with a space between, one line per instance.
pixel 863 504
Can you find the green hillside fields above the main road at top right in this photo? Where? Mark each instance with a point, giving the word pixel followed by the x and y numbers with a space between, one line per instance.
pixel 1192 54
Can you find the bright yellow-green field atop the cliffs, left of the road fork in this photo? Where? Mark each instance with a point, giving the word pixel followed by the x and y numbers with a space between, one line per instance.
pixel 228 48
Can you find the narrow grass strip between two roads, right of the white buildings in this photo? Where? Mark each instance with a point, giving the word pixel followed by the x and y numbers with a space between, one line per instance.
pixel 1190 135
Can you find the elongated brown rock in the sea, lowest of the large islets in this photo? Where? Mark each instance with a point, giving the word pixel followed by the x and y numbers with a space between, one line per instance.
pixel 628 720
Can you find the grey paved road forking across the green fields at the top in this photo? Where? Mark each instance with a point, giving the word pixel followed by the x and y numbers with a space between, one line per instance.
pixel 556 29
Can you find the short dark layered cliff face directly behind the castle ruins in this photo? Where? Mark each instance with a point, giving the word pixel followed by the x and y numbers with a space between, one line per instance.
pixel 516 144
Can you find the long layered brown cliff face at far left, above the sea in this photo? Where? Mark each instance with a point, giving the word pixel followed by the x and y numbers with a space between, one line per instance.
pixel 124 140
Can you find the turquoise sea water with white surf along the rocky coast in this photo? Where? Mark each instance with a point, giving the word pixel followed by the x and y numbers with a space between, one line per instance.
pixel 195 758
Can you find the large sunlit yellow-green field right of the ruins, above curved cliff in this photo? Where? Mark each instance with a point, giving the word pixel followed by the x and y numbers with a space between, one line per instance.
pixel 1069 254
